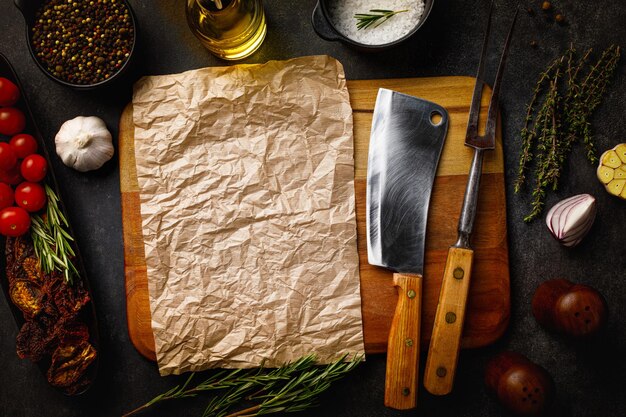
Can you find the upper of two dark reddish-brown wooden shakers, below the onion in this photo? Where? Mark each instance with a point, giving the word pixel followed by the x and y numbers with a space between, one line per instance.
pixel 573 309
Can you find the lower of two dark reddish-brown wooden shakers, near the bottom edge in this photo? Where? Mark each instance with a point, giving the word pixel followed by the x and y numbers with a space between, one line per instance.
pixel 520 385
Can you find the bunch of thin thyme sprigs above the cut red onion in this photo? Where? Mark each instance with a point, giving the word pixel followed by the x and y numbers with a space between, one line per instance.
pixel 558 115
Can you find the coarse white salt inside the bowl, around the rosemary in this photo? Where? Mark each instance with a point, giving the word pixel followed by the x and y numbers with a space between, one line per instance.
pixel 341 13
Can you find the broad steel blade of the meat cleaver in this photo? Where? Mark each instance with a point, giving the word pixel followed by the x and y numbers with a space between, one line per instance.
pixel 405 145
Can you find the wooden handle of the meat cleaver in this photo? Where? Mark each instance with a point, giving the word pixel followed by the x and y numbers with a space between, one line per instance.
pixel 404 344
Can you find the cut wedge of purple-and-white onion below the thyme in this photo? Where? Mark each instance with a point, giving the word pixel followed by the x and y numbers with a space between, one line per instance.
pixel 570 220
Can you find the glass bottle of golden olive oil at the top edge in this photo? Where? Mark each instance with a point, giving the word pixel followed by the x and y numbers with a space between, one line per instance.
pixel 231 32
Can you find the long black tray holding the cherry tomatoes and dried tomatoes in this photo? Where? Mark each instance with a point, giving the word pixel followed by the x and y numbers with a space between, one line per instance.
pixel 88 313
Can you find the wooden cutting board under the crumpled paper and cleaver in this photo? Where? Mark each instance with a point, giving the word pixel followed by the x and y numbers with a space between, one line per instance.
pixel 489 298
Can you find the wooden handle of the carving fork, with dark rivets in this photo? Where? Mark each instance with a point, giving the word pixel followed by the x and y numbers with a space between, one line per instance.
pixel 445 341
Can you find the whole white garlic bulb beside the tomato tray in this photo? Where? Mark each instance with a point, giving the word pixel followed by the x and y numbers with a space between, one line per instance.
pixel 84 143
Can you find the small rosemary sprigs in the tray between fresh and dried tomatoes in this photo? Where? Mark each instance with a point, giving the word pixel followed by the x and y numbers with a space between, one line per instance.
pixel 51 239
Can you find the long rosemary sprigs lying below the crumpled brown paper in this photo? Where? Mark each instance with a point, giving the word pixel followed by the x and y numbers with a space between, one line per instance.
pixel 295 386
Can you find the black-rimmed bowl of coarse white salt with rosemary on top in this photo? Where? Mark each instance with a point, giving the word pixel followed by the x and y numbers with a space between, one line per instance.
pixel 369 24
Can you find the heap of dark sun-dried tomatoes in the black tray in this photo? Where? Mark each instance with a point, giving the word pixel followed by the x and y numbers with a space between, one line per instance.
pixel 51 309
